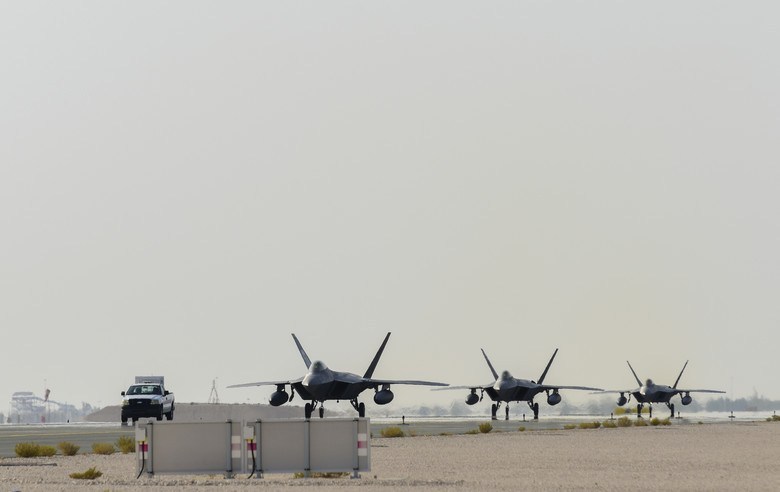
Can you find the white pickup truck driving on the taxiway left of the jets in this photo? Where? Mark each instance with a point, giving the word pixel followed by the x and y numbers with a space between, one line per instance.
pixel 147 398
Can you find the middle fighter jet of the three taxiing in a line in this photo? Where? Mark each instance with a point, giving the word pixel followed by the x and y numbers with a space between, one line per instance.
pixel 507 389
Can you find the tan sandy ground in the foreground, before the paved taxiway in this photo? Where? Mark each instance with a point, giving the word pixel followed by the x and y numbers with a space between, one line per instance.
pixel 737 456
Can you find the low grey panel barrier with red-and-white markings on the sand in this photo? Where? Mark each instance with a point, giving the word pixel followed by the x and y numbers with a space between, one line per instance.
pixel 264 446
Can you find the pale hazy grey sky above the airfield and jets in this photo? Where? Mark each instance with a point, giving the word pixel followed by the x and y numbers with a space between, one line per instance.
pixel 184 184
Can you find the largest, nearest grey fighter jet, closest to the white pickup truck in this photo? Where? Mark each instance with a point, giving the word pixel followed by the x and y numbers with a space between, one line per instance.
pixel 320 384
